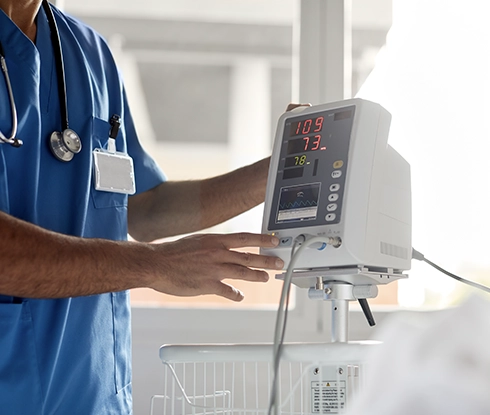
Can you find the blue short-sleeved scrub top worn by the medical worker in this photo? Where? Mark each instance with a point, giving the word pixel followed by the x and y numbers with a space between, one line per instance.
pixel 66 356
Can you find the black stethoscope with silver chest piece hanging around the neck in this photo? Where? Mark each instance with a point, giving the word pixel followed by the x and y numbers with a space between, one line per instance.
pixel 65 144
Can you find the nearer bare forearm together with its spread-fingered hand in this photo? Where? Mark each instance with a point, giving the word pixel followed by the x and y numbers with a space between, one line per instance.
pixel 36 263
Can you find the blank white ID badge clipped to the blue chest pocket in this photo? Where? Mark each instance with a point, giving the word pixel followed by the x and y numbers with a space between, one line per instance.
pixel 113 172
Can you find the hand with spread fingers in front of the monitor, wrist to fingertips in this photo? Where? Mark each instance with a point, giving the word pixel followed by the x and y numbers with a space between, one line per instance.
pixel 197 264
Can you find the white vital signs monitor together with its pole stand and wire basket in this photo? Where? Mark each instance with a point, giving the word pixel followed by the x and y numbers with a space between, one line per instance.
pixel 339 200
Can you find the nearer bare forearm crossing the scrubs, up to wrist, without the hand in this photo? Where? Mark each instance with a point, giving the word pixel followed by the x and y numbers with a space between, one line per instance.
pixel 37 263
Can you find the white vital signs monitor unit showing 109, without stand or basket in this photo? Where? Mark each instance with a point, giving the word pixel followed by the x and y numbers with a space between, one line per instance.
pixel 332 173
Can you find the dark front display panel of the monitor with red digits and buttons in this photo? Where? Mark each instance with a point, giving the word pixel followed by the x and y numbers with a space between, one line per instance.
pixel 311 173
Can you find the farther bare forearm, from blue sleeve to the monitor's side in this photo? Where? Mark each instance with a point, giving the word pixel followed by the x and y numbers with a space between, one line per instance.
pixel 176 208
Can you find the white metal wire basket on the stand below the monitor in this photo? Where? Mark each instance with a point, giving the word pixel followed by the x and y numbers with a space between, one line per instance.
pixel 237 379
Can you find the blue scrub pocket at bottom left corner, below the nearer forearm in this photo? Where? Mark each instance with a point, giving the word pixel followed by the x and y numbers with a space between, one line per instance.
pixel 20 384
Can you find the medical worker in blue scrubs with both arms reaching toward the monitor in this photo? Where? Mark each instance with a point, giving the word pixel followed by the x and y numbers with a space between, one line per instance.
pixel 65 262
